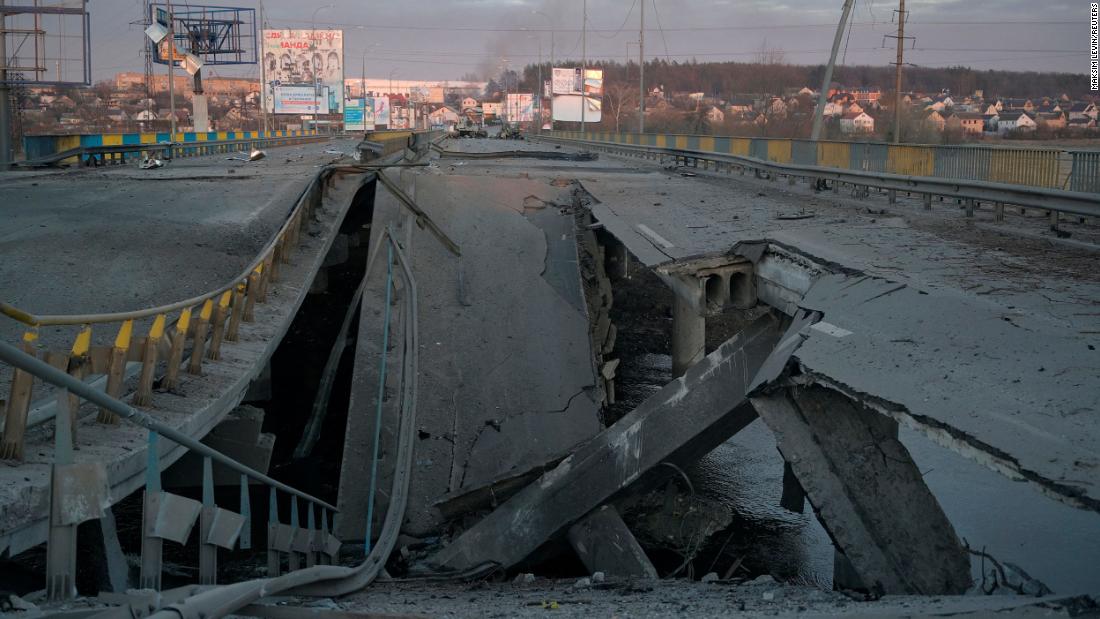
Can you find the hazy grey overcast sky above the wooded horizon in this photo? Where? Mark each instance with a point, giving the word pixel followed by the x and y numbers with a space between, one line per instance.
pixel 446 39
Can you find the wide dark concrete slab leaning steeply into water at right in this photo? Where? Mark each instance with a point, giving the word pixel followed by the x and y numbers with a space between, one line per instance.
pixel 867 492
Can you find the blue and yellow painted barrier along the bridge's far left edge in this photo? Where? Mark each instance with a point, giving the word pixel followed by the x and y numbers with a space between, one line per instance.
pixel 117 153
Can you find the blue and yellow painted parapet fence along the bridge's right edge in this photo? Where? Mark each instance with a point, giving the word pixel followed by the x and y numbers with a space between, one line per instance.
pixel 1035 168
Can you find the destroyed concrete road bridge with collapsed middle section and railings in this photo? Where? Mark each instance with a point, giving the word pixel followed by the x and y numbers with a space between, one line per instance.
pixel 399 361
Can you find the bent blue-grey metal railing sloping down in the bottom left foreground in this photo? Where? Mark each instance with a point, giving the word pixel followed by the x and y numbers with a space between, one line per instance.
pixel 81 492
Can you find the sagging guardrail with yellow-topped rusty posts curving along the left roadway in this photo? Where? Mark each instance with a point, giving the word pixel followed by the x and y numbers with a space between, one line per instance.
pixel 202 325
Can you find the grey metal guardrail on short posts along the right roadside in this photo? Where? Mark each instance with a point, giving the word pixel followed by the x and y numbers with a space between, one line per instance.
pixel 974 192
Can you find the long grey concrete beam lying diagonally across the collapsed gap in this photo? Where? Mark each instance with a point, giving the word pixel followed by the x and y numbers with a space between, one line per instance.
pixel 691 416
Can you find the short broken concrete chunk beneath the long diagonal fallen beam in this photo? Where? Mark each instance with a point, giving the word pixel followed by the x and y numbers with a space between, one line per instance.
pixel 604 544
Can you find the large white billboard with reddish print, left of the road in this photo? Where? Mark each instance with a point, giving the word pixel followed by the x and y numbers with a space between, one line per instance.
pixel 304 59
